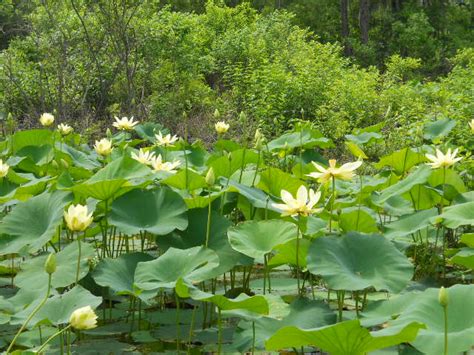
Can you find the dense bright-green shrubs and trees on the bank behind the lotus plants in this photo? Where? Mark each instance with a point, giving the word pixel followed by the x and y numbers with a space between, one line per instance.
pixel 88 61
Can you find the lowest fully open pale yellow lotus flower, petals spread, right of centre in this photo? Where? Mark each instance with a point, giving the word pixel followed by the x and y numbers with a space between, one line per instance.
pixel 301 205
